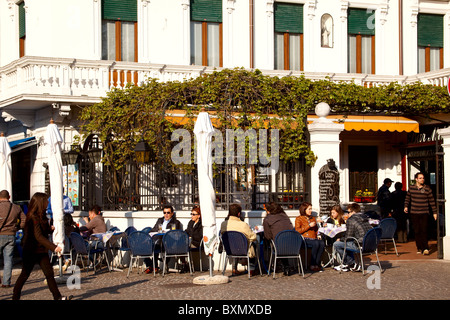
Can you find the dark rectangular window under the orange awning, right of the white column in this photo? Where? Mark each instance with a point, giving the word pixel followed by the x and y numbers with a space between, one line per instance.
pixel 363 169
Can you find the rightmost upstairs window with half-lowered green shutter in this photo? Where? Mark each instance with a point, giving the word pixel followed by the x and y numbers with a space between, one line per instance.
pixel 430 42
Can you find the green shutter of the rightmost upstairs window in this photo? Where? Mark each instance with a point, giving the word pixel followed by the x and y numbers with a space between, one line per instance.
pixel 430 30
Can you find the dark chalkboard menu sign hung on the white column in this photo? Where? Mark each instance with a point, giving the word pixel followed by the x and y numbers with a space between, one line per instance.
pixel 328 187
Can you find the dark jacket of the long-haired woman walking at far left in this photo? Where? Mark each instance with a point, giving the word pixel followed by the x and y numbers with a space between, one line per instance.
pixel 35 236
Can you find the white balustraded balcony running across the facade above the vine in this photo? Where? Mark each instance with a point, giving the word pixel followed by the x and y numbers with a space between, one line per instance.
pixel 34 82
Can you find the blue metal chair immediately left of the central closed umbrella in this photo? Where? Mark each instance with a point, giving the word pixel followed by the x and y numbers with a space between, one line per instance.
pixel 175 244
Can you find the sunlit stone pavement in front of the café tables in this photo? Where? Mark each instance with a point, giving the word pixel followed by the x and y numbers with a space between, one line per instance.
pixel 407 277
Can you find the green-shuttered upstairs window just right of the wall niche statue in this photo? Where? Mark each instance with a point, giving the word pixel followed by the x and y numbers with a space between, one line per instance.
pixel 361 41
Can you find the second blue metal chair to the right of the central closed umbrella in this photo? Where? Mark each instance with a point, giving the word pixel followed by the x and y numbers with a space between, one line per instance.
pixel 287 244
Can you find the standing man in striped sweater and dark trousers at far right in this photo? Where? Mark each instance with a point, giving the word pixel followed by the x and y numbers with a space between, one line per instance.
pixel 418 202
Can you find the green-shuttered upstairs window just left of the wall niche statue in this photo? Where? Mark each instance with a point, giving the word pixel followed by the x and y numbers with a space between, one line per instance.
pixel 288 37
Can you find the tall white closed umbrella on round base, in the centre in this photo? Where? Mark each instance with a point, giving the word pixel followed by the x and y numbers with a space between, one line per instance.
pixel 203 131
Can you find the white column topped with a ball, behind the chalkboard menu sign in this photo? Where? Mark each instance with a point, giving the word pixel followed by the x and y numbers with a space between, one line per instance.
pixel 324 141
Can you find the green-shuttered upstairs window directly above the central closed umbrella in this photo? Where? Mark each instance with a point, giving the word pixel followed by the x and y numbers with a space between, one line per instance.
pixel 206 33
